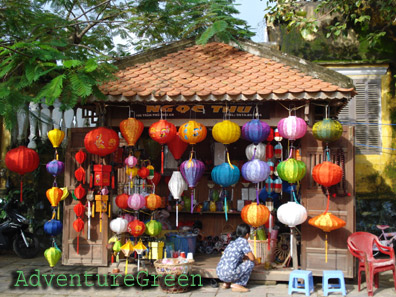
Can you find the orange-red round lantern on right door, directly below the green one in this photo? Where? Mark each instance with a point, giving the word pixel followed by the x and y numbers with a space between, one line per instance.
pixel 327 174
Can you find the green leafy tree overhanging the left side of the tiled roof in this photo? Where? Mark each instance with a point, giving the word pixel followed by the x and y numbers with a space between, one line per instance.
pixel 64 49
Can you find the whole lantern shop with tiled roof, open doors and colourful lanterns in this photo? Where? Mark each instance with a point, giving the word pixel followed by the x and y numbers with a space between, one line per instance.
pixel 194 140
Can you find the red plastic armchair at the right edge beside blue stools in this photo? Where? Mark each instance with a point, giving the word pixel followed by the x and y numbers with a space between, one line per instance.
pixel 360 244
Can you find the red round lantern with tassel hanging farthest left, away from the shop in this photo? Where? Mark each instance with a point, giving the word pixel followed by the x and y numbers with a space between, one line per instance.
pixel 21 160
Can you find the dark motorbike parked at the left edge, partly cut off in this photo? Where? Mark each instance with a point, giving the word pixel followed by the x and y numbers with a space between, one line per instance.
pixel 14 234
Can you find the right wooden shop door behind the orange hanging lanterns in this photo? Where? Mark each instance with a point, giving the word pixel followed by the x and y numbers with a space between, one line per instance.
pixel 313 198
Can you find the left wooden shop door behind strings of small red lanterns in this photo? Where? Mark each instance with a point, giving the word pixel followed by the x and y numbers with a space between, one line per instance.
pixel 92 252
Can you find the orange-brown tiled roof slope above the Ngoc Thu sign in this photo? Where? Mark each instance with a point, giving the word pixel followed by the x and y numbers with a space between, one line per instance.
pixel 215 72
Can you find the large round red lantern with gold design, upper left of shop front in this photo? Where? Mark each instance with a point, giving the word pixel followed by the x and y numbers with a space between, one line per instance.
pixel 101 141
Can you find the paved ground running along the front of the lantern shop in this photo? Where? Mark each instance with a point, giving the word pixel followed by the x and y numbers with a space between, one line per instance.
pixel 10 264
